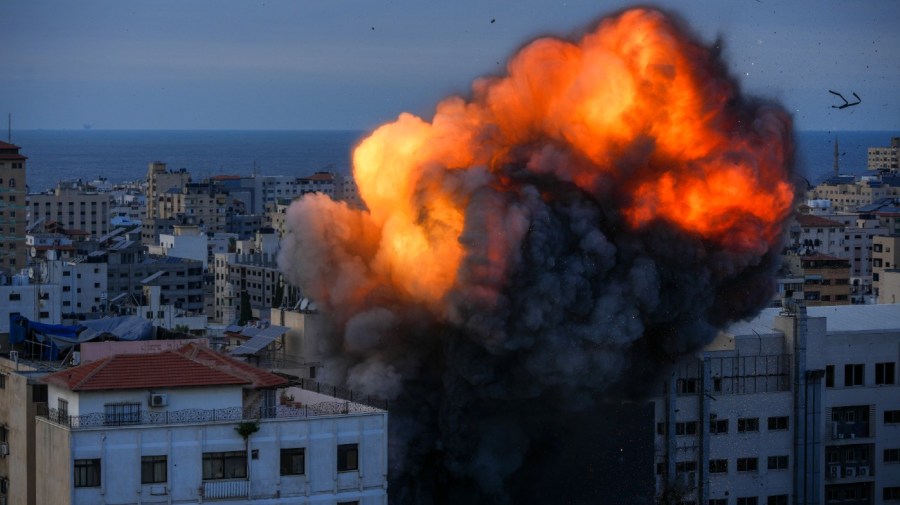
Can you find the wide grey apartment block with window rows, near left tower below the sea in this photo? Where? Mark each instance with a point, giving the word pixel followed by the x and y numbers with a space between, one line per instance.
pixel 73 205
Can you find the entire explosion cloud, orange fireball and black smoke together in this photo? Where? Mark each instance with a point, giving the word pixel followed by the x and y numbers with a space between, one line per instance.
pixel 558 237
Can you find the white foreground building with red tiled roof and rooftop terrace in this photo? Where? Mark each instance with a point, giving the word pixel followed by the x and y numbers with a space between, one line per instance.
pixel 192 426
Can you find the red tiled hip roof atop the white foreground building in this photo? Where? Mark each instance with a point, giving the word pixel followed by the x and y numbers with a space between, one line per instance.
pixel 189 366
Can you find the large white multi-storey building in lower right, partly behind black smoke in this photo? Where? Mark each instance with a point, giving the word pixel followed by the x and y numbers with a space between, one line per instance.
pixel 787 408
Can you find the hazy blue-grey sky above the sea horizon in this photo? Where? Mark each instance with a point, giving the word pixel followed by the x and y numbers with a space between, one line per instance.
pixel 354 64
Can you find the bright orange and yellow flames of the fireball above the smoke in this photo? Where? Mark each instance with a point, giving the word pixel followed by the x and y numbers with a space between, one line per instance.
pixel 636 80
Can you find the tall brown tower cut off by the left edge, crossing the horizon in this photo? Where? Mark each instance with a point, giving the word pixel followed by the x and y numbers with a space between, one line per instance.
pixel 13 214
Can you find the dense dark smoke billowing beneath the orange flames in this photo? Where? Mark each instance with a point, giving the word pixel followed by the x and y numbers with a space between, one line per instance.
pixel 518 389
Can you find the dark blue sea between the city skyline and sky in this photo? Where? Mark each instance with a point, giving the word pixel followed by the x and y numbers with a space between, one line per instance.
pixel 123 155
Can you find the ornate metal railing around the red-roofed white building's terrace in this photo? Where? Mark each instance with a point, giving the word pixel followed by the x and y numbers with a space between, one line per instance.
pixel 194 416
